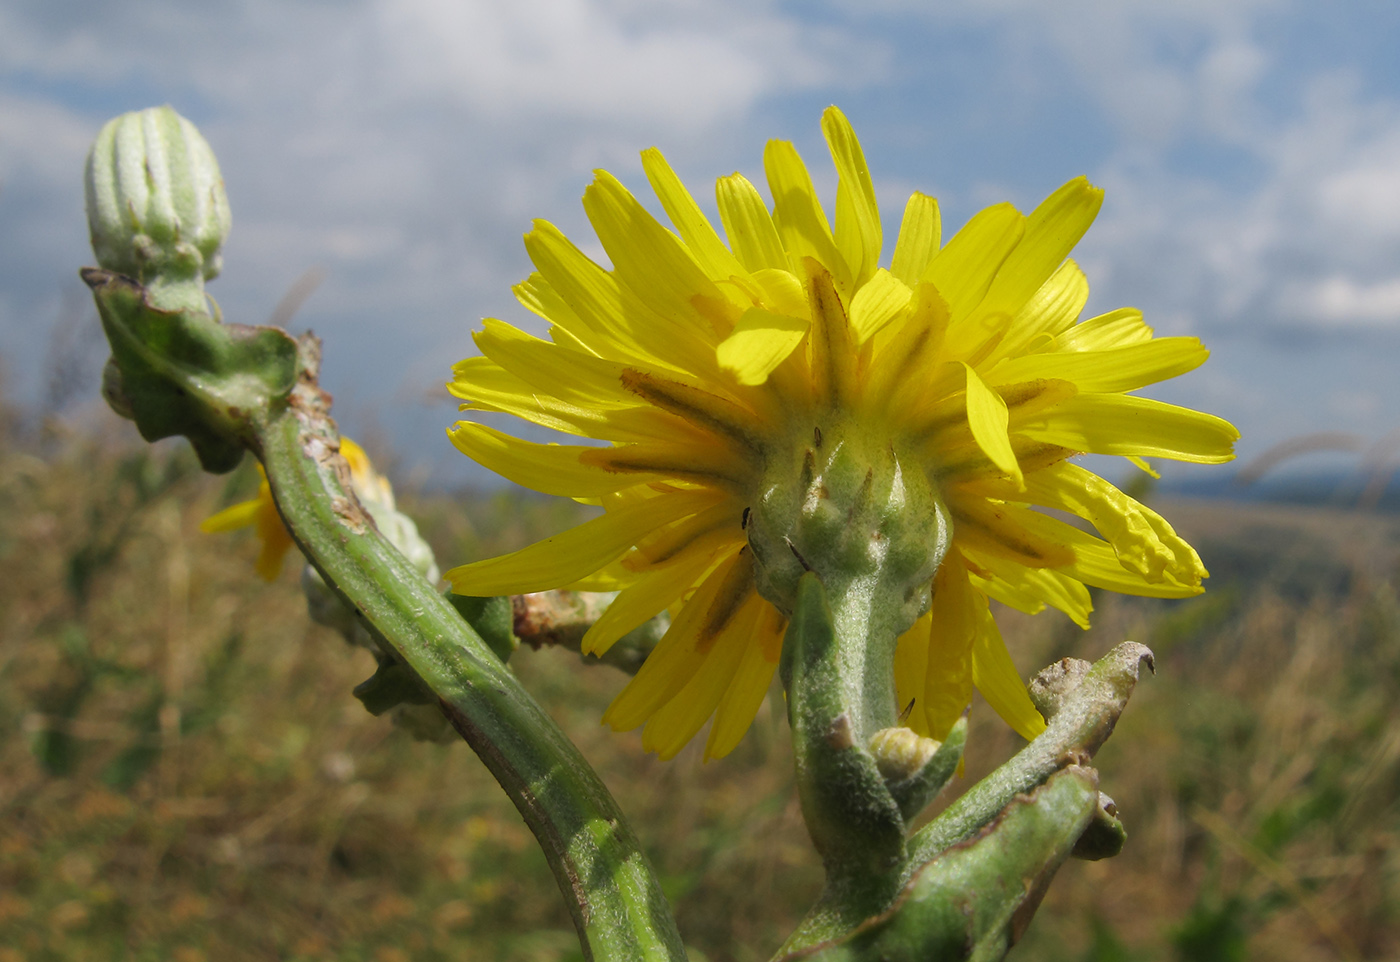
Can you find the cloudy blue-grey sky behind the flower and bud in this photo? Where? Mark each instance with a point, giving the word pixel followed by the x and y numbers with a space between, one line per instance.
pixel 1251 152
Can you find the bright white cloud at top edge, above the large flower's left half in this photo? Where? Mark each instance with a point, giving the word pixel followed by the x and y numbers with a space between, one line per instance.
pixel 590 60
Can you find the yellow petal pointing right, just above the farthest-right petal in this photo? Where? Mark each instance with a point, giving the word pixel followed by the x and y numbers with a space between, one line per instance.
pixel 1108 372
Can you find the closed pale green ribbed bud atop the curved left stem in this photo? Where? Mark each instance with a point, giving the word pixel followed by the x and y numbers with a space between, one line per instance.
pixel 156 201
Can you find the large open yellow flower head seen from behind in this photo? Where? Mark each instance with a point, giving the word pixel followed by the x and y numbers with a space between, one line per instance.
pixel 737 382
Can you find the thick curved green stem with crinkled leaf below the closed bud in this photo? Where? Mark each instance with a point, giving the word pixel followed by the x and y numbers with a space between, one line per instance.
pixel 184 373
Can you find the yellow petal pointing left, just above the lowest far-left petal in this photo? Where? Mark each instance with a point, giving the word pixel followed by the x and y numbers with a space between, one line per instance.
pixel 548 468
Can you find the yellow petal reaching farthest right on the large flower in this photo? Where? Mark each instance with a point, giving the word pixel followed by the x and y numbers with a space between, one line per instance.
pixel 1109 424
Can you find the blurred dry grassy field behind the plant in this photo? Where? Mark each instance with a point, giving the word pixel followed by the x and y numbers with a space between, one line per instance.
pixel 184 774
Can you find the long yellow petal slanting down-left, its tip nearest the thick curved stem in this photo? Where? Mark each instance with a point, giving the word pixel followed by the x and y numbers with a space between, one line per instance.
pixel 576 552
